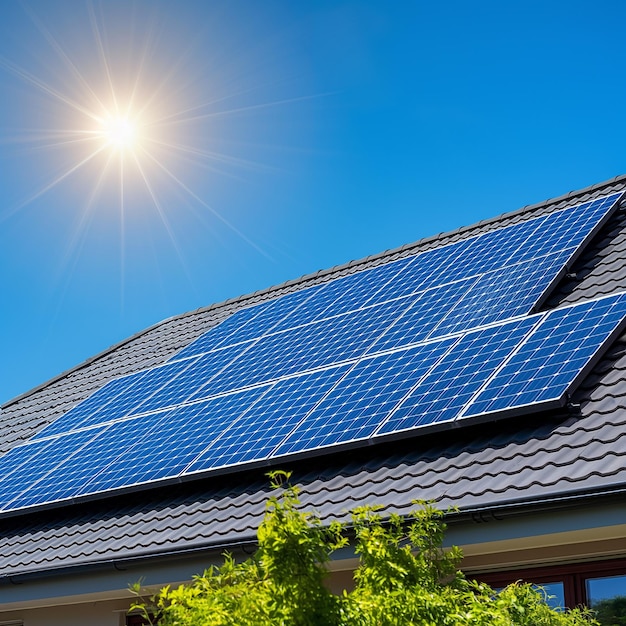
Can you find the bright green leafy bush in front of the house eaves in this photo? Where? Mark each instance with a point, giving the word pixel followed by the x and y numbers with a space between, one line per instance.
pixel 404 578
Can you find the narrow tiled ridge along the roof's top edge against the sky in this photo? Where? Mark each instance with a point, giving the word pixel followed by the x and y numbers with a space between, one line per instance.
pixel 315 275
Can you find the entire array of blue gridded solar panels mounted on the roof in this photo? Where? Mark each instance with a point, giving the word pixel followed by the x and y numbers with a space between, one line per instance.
pixel 443 336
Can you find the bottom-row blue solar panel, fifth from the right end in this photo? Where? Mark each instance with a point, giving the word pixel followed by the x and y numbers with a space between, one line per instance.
pixel 182 434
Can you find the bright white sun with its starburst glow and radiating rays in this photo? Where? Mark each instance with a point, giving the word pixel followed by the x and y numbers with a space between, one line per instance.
pixel 117 119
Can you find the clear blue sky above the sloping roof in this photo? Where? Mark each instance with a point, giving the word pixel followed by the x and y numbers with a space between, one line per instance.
pixel 278 138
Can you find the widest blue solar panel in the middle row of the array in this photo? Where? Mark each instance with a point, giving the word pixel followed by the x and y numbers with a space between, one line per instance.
pixel 307 347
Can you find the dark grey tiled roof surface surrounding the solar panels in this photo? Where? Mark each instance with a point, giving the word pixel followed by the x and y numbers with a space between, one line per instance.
pixel 573 452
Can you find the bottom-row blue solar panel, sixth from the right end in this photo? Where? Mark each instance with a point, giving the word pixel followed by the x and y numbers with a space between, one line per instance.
pixel 74 471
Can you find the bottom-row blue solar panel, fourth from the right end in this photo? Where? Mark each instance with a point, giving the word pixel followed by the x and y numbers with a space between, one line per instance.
pixel 258 432
